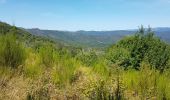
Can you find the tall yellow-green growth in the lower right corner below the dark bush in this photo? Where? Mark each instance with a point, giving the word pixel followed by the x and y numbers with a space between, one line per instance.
pixel 147 83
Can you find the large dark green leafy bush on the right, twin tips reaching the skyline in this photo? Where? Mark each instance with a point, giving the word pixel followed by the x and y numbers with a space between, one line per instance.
pixel 144 46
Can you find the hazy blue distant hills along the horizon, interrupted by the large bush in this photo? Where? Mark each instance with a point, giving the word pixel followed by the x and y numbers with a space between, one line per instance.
pixel 94 38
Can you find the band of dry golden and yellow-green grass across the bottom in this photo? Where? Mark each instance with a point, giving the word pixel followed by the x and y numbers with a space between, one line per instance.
pixel 85 85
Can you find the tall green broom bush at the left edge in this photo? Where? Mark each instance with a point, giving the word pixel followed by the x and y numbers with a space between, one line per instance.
pixel 12 53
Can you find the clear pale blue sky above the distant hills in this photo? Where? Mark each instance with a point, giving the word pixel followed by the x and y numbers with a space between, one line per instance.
pixel 73 15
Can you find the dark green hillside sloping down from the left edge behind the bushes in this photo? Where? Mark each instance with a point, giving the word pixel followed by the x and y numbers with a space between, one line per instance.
pixel 25 36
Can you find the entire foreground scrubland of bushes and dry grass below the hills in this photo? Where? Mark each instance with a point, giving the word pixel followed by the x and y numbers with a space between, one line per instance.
pixel 135 68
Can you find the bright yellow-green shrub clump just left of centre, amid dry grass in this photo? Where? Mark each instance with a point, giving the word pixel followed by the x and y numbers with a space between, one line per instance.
pixel 63 74
